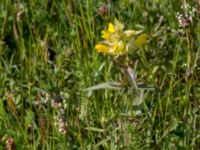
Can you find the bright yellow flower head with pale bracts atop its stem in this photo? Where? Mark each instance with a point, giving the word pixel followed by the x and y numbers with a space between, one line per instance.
pixel 118 42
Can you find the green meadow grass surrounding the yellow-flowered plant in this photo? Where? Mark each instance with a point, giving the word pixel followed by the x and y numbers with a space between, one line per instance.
pixel 47 56
